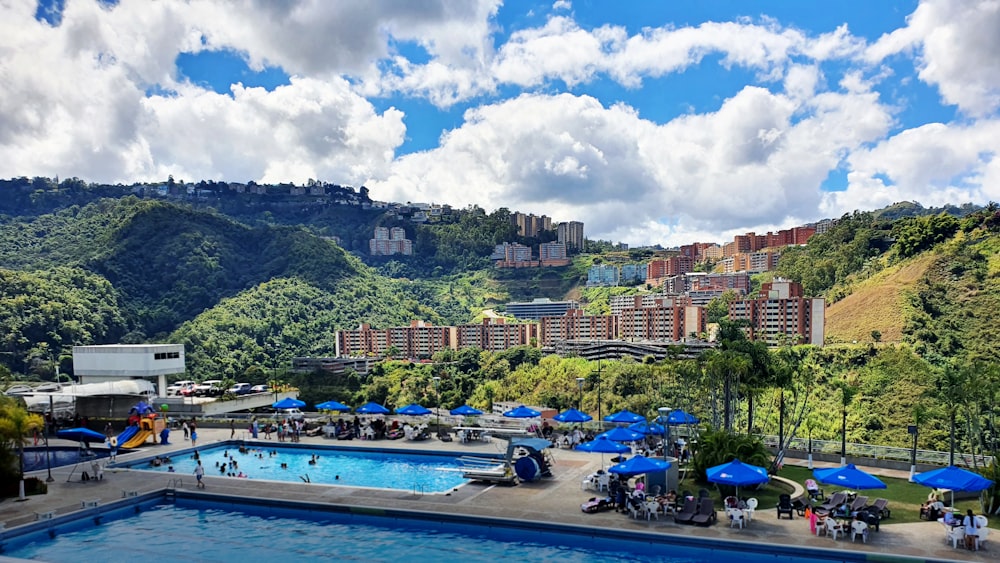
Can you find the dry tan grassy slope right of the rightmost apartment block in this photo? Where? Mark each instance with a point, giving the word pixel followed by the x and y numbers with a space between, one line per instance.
pixel 875 304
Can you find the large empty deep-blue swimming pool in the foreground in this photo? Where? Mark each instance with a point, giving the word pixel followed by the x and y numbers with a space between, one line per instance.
pixel 218 528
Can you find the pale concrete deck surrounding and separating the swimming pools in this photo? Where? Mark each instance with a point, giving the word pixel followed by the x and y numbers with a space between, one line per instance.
pixel 550 500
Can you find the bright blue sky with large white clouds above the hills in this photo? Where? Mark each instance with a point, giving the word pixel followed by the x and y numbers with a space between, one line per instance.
pixel 652 122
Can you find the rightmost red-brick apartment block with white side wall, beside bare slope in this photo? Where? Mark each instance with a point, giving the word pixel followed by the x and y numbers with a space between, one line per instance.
pixel 782 314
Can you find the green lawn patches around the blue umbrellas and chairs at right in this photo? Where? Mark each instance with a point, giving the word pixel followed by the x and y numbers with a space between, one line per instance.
pixel 904 497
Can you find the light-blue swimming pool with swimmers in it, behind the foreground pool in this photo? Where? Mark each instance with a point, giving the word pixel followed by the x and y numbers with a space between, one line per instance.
pixel 428 472
